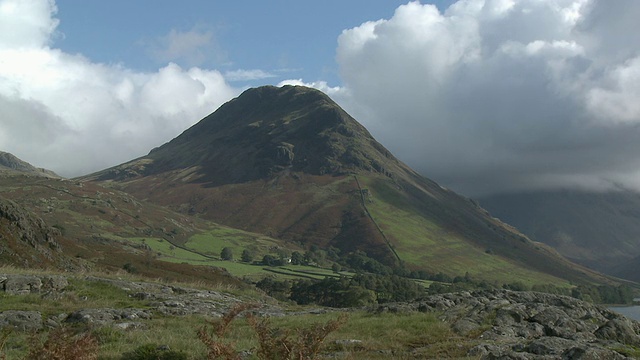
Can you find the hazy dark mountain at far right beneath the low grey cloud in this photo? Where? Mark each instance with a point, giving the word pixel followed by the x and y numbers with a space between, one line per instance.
pixel 600 230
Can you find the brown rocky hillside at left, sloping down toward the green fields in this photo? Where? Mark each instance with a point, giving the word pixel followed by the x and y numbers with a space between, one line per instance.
pixel 61 224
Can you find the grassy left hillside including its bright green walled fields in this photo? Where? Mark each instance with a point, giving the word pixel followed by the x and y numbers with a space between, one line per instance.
pixel 107 229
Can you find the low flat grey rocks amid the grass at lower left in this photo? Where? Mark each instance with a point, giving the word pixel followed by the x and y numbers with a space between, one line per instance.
pixel 156 299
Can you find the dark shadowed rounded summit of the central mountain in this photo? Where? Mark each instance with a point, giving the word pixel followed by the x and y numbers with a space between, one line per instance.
pixel 268 130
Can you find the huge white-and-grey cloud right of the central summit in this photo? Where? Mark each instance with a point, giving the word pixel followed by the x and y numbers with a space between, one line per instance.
pixel 495 95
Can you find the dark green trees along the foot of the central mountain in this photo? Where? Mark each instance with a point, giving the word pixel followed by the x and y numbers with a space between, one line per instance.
pixel 375 282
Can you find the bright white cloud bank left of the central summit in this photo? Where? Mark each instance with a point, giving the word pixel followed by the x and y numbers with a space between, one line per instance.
pixel 71 115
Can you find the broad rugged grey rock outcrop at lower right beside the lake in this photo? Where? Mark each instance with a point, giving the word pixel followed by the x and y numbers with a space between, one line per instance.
pixel 529 325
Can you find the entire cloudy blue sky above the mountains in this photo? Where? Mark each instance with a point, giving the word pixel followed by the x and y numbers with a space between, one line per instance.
pixel 483 96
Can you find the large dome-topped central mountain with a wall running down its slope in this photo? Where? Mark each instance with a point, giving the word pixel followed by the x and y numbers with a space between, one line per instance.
pixel 290 163
